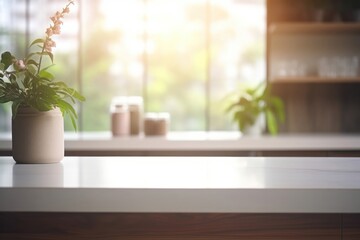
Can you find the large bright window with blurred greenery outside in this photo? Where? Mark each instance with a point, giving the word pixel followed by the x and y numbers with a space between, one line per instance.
pixel 182 57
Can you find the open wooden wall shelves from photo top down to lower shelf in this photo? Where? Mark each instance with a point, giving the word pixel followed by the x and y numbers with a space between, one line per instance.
pixel 313 41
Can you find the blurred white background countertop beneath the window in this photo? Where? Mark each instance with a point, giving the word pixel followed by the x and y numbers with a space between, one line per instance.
pixel 205 141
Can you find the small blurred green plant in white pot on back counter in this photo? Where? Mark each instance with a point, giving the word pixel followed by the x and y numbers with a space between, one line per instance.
pixel 255 105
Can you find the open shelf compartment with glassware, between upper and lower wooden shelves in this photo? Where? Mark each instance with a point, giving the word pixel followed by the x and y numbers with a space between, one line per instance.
pixel 314 52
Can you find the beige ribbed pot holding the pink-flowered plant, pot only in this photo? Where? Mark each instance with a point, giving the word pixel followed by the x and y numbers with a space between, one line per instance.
pixel 38 137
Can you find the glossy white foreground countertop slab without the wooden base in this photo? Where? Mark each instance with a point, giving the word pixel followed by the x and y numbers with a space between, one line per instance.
pixel 183 184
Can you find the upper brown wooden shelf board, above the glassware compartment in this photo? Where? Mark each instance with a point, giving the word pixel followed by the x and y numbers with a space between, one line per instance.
pixel 313 27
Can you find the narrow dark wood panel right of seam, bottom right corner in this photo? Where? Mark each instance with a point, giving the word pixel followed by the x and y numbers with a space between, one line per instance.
pixel 351 227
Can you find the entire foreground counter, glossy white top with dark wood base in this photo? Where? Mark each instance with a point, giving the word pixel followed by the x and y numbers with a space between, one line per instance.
pixel 292 198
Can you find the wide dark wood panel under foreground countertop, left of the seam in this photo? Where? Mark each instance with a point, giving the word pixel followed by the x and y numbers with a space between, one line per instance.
pixel 170 226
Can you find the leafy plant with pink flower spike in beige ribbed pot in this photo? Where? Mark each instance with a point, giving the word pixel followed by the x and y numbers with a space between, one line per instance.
pixel 38 101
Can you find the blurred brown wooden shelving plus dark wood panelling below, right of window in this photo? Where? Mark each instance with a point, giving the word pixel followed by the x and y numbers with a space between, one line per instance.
pixel 313 63
